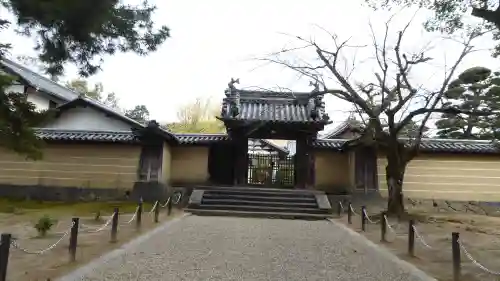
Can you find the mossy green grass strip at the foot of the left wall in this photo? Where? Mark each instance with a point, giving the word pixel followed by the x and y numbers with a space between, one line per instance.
pixel 76 209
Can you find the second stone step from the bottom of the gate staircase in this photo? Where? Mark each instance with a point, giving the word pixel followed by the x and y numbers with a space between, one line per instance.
pixel 254 208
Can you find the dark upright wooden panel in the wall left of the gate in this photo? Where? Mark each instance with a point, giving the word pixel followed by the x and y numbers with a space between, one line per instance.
pixel 150 163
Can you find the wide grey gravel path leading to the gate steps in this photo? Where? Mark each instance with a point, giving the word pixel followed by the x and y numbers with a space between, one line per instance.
pixel 227 248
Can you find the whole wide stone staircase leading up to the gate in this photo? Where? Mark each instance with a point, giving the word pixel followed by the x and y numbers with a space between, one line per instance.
pixel 259 202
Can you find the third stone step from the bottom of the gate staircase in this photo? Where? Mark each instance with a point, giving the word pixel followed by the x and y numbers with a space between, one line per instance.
pixel 276 203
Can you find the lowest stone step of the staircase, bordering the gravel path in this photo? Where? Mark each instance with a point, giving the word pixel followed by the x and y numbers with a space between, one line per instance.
pixel 271 215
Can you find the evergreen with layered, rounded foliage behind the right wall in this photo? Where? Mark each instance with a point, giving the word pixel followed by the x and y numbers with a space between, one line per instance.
pixel 478 90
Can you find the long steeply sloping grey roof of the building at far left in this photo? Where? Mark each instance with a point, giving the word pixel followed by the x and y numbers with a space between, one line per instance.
pixel 37 81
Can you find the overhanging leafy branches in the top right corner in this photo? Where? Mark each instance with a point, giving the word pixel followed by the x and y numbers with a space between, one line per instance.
pixel 450 15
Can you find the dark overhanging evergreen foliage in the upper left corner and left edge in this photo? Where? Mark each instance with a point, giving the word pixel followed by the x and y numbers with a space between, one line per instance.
pixel 78 32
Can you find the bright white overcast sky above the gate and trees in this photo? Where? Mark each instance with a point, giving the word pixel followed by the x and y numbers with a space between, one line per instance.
pixel 213 41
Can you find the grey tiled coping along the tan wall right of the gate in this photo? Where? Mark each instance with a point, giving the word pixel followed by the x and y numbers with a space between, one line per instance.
pixel 429 145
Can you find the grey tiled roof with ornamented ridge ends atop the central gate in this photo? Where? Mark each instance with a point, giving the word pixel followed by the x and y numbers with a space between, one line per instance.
pixel 281 107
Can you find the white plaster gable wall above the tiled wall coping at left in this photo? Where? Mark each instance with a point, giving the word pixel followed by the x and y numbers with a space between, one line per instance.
pixel 86 118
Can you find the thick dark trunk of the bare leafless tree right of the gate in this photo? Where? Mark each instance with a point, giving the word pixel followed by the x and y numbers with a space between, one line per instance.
pixel 394 177
